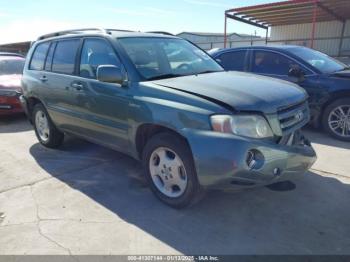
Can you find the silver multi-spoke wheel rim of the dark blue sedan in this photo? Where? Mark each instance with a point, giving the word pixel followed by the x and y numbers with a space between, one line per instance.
pixel 339 121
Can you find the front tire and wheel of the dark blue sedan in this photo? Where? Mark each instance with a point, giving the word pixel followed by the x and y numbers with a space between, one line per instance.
pixel 330 122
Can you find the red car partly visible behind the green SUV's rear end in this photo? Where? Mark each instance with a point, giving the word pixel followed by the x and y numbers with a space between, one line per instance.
pixel 11 69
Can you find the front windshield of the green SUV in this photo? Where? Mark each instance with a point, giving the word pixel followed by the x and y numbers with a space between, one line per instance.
pixel 157 58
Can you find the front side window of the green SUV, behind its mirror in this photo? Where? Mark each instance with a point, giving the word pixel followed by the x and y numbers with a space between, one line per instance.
pixel 96 52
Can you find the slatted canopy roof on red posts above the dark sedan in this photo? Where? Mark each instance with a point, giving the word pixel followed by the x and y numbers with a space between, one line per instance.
pixel 291 12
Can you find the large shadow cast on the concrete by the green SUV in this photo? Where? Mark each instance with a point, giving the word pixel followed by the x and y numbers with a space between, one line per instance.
pixel 313 217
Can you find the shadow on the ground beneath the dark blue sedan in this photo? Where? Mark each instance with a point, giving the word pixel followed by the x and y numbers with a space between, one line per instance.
pixel 320 137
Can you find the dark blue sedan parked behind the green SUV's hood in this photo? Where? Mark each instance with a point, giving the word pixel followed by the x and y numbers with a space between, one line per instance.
pixel 326 80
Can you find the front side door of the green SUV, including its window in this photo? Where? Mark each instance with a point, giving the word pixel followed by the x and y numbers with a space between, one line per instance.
pixel 103 107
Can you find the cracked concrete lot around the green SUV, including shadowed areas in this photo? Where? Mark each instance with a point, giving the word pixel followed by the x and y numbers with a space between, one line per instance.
pixel 85 199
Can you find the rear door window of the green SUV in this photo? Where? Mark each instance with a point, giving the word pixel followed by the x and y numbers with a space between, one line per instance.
pixel 64 57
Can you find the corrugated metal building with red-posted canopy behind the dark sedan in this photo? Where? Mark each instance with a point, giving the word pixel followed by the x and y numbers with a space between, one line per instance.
pixel 320 24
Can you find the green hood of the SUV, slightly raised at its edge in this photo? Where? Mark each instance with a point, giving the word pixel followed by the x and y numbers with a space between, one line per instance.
pixel 241 91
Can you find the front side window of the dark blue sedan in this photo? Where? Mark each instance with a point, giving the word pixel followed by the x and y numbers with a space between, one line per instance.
pixel 272 63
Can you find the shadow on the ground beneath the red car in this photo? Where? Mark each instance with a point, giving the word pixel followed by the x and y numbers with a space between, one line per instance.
pixel 14 124
